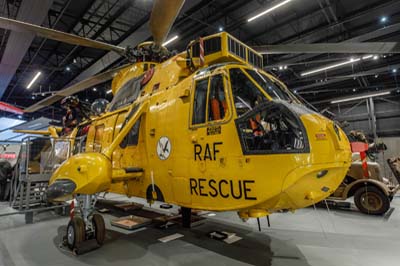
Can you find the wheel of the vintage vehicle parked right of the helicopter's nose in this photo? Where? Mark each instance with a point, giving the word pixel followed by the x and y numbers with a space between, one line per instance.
pixel 371 200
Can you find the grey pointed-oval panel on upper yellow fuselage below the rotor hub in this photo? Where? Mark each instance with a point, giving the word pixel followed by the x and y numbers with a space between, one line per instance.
pixel 127 94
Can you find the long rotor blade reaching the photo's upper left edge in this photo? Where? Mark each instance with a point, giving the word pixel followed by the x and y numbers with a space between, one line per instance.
pixel 24 27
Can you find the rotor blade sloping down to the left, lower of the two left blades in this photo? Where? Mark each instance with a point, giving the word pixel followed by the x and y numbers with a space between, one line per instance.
pixel 78 87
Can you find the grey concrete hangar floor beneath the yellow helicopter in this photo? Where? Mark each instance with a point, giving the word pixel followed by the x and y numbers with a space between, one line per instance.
pixel 307 237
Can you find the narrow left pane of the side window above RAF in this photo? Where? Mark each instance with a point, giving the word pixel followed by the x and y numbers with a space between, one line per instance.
pixel 200 102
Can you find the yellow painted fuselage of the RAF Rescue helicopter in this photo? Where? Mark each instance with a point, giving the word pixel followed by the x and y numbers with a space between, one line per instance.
pixel 255 185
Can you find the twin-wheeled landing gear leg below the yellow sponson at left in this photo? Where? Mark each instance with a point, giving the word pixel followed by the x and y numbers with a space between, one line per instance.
pixel 85 226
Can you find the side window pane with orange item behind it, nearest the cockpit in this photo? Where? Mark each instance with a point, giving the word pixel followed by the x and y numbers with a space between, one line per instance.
pixel 217 105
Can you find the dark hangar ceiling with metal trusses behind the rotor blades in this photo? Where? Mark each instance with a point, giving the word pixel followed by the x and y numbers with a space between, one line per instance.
pixel 125 23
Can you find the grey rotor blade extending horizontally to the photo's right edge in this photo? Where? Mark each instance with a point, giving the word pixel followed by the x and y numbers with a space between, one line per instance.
pixel 319 48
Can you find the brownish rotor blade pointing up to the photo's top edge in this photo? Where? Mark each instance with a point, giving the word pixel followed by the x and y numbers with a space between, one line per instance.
pixel 162 17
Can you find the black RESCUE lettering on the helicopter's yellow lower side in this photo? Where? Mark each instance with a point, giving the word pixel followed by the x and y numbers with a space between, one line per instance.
pixel 237 189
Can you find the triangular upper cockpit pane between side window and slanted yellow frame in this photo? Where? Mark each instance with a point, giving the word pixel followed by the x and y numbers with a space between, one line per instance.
pixel 245 93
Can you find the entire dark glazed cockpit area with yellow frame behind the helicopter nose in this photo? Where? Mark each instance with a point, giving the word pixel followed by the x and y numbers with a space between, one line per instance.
pixel 266 126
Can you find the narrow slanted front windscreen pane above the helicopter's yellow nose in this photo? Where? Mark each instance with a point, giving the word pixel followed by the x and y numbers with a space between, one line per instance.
pixel 273 88
